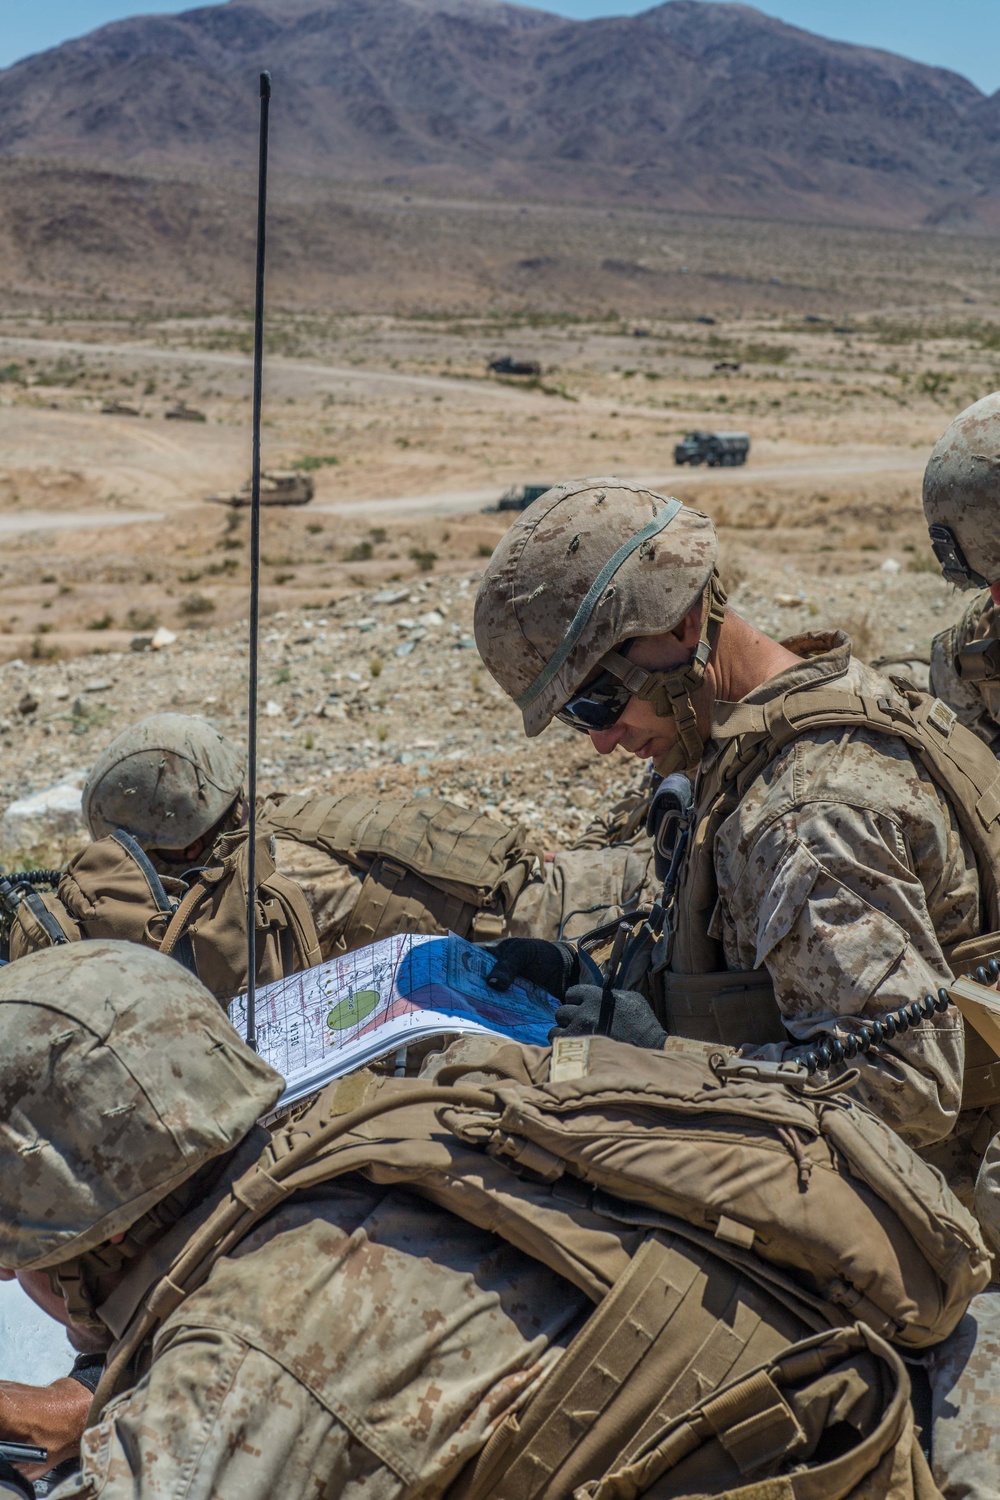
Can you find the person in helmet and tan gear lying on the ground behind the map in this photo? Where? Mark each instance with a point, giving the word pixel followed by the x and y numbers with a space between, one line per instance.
pixel 167 811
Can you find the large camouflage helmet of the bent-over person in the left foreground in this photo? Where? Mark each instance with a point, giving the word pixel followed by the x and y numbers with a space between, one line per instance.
pixel 122 1078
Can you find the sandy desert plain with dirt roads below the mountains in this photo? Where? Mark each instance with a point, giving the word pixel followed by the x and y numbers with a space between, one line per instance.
pixel 854 350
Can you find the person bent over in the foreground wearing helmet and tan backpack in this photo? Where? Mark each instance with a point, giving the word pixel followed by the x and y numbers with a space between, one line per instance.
pixel 389 1300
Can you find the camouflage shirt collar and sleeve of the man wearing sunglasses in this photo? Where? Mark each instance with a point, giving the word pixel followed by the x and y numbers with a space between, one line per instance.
pixel 845 874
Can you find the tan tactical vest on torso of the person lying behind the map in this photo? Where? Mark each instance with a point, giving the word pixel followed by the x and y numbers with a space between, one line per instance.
pixel 430 866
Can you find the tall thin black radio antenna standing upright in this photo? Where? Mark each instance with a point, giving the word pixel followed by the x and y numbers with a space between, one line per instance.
pixel 256 568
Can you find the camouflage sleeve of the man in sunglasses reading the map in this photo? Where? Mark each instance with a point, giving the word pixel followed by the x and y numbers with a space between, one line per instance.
pixel 828 902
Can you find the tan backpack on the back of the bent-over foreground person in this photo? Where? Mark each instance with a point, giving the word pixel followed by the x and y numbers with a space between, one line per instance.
pixel 584 1153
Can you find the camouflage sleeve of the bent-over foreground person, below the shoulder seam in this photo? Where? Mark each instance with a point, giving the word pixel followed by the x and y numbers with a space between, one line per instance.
pixel 217 1420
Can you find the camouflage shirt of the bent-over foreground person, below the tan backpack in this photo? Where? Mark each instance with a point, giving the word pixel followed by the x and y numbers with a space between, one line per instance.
pixel 359 1345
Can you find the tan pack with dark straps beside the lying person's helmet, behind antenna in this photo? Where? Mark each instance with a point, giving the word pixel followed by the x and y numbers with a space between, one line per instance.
pixel 112 890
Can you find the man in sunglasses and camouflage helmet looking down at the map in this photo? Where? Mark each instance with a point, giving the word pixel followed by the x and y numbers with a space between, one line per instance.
pixel 830 880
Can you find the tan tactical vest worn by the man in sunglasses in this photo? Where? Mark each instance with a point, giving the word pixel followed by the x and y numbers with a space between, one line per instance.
pixel 698 997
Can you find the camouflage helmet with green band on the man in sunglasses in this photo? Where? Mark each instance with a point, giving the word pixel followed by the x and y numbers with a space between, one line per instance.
pixel 588 566
